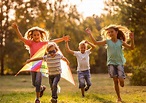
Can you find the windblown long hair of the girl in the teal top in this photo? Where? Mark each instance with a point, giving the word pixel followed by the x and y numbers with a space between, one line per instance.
pixel 122 31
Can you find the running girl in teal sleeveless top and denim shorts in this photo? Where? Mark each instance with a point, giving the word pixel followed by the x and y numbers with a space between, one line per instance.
pixel 115 37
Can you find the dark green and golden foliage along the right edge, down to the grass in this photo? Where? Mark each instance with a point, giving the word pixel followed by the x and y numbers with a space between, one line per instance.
pixel 132 14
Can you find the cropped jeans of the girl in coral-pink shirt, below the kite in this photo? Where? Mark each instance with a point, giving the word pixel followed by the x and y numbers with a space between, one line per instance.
pixel 36 80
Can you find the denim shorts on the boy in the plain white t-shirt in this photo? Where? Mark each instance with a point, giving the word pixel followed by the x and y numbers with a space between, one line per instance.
pixel 84 76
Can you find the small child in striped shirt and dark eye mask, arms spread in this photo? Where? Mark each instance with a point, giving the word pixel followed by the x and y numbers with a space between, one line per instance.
pixel 54 67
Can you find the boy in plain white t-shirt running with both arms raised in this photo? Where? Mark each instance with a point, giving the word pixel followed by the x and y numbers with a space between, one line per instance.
pixel 83 68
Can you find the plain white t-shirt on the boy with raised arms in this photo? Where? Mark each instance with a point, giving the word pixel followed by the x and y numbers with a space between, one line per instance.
pixel 82 60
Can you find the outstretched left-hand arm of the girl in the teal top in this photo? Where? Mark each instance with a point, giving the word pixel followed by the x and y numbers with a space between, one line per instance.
pixel 93 40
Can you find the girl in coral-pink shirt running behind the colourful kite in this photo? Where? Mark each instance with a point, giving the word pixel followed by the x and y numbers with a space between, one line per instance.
pixel 34 39
